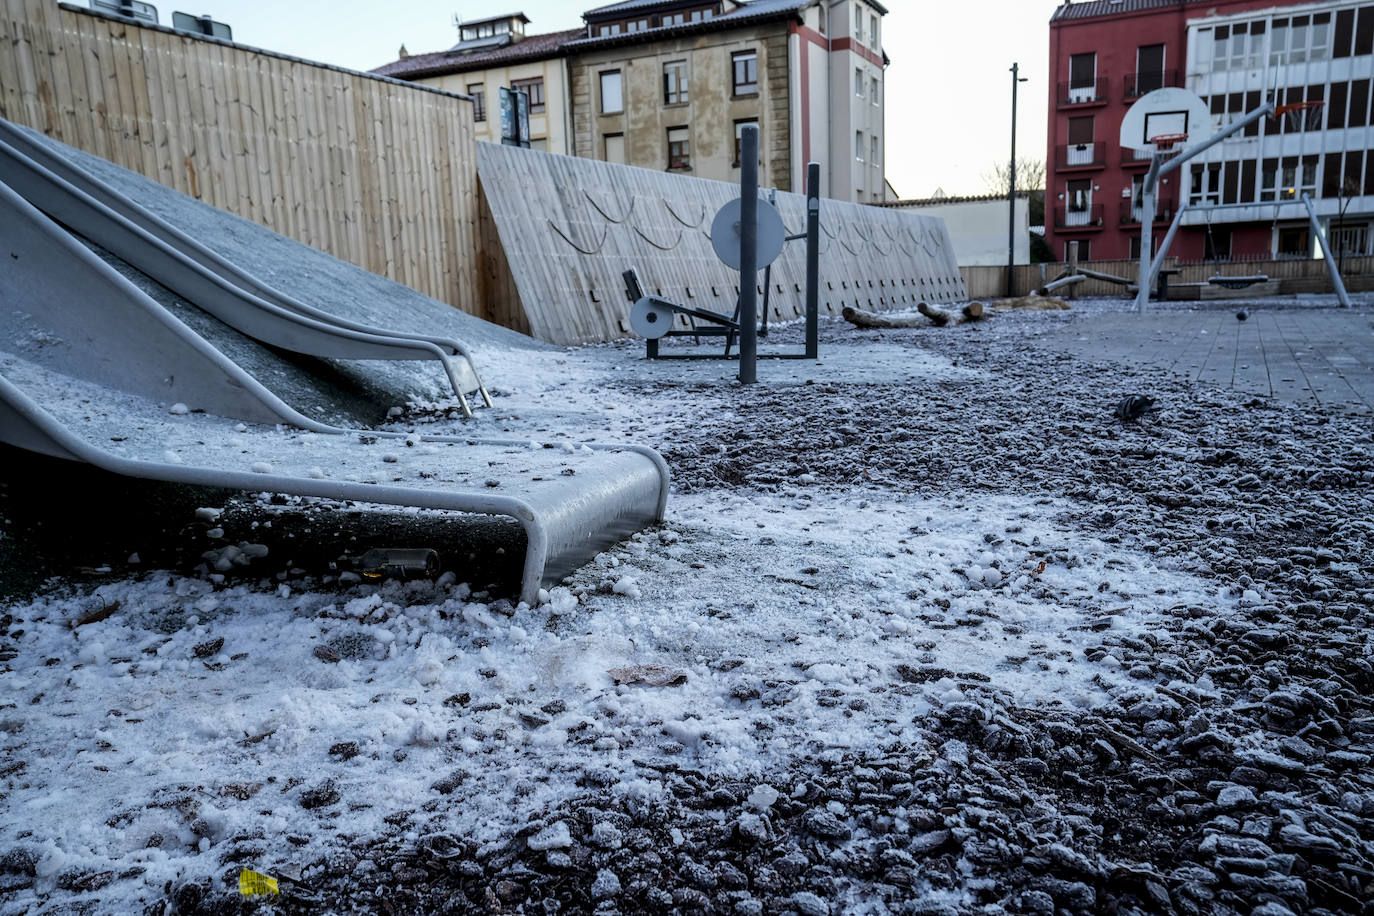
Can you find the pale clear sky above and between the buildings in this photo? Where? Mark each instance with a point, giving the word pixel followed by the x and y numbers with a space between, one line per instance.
pixel 949 86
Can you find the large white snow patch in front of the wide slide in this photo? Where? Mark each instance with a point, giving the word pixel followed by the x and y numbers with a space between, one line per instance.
pixel 193 716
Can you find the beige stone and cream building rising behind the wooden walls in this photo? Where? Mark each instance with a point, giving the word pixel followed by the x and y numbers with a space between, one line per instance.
pixel 671 84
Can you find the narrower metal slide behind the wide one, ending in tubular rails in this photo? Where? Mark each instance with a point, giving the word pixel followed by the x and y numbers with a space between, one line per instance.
pixel 152 245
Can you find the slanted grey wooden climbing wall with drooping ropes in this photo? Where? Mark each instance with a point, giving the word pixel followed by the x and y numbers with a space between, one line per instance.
pixel 570 227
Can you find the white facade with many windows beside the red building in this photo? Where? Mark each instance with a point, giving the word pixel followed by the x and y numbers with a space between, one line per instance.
pixel 1295 54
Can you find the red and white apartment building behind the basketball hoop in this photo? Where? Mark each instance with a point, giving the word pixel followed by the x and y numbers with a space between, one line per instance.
pixel 1235 54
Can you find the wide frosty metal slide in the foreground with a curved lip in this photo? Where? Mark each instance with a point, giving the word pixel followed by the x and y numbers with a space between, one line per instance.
pixel 93 370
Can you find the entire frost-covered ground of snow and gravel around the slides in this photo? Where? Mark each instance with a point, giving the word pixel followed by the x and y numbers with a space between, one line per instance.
pixel 927 631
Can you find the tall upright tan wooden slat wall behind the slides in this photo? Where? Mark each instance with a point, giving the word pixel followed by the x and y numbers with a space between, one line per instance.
pixel 374 172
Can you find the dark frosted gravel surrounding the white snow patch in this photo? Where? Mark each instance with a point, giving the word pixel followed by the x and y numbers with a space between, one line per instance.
pixel 1229 771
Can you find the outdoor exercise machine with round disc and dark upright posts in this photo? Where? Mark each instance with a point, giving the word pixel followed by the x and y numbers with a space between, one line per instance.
pixel 748 236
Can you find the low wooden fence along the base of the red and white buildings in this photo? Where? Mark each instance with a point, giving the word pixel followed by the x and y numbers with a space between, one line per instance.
pixel 1294 275
